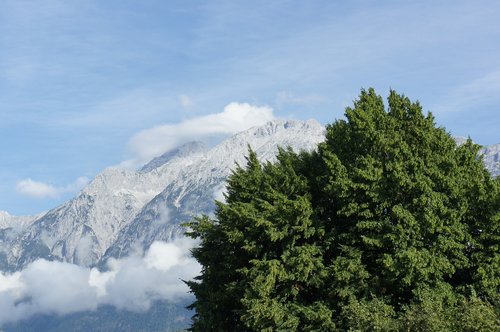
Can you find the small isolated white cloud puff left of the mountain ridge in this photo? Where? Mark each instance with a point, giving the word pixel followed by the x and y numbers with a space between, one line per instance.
pixel 36 189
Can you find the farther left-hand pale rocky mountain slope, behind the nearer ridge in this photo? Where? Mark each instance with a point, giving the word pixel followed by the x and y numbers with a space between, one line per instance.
pixel 81 230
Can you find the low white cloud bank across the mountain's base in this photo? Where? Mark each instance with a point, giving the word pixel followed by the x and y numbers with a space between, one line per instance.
pixel 131 283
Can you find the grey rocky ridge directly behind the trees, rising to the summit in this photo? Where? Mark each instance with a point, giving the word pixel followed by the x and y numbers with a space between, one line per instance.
pixel 194 190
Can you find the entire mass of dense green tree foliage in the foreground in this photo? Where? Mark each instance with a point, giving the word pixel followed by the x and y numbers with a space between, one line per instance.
pixel 388 226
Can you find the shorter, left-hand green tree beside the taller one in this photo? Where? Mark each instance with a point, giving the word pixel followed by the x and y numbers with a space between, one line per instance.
pixel 268 266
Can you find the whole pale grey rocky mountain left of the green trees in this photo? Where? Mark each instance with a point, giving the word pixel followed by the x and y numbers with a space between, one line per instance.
pixel 124 209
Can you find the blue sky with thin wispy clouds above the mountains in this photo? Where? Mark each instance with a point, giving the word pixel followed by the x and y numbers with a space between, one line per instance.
pixel 81 81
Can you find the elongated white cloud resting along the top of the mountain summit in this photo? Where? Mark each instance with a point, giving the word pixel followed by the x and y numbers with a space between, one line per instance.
pixel 236 117
